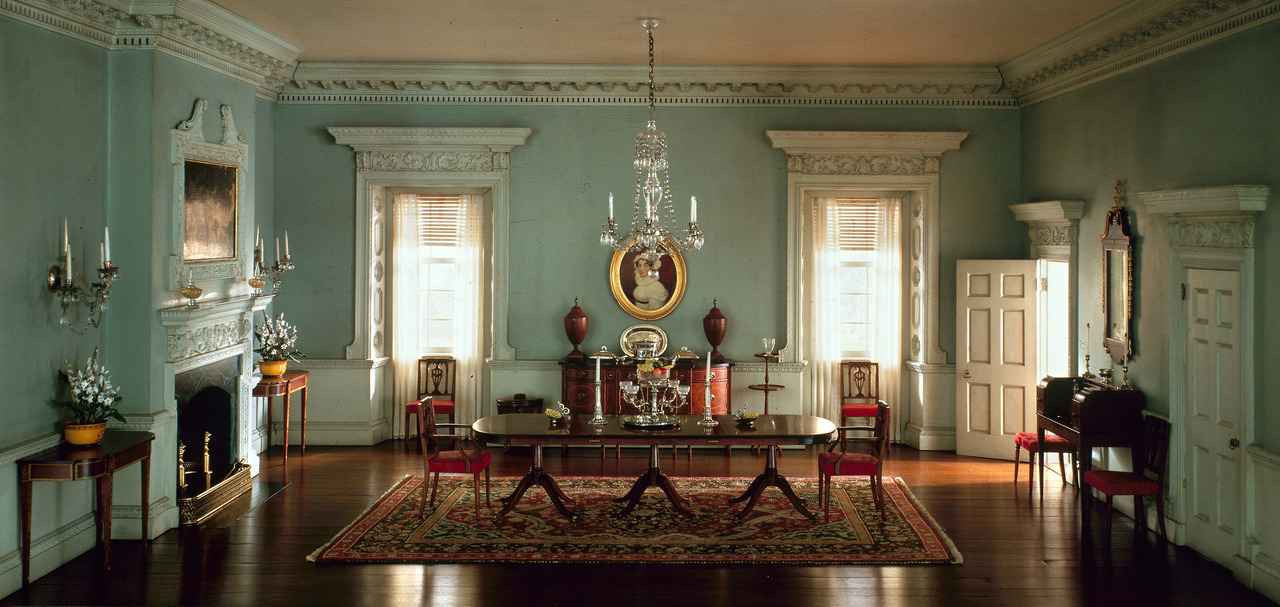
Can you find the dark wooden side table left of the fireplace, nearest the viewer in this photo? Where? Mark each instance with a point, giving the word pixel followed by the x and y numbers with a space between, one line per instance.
pixel 80 463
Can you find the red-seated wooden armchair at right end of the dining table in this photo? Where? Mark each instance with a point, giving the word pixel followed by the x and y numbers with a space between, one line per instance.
pixel 858 457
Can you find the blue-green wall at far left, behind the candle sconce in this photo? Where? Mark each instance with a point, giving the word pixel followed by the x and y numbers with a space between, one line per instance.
pixel 53 126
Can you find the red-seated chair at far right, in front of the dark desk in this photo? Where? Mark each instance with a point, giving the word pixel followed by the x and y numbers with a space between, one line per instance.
pixel 1150 459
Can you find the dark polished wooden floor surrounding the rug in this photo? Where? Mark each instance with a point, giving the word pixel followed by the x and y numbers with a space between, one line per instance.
pixel 1017 551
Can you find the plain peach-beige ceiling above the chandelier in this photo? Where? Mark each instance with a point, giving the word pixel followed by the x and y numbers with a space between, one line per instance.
pixel 692 33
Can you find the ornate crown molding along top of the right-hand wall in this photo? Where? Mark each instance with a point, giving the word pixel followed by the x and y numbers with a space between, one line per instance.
pixel 1131 36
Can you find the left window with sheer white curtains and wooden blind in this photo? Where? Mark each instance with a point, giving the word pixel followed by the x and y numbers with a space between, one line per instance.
pixel 436 294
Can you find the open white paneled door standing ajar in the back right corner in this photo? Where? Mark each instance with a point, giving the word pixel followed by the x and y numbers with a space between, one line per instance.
pixel 995 355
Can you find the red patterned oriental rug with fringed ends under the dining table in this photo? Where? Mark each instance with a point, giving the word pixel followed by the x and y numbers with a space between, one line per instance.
pixel 391 531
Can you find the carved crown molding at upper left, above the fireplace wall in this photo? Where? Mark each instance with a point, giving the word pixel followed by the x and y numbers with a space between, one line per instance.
pixel 198 31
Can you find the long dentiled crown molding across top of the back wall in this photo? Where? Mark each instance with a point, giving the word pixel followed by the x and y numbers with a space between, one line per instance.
pixel 611 85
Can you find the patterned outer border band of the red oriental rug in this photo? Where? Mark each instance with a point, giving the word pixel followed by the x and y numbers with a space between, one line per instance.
pixel 382 503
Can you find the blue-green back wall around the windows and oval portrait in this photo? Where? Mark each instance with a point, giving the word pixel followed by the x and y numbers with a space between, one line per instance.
pixel 560 185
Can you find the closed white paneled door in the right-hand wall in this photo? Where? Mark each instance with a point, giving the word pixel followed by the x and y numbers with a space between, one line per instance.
pixel 1214 394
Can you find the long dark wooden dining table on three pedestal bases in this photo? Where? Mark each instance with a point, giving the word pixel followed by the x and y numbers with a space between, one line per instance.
pixel 537 431
